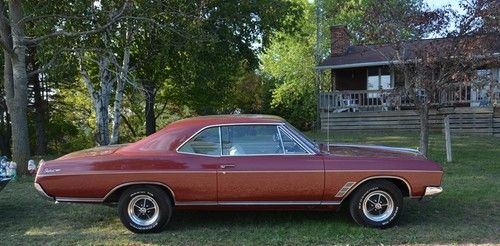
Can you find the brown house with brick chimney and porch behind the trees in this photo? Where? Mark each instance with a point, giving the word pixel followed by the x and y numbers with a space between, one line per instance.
pixel 366 93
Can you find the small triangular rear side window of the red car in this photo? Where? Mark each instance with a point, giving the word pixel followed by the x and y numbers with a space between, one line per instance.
pixel 206 142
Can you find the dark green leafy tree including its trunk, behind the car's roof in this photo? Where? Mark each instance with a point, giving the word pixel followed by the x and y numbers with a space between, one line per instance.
pixel 212 45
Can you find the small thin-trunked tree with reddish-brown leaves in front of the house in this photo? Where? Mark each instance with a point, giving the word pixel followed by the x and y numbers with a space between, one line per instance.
pixel 436 66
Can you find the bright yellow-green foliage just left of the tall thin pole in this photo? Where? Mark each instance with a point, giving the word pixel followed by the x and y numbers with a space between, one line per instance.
pixel 289 64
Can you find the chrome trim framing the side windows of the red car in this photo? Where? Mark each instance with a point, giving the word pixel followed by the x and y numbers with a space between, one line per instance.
pixel 281 125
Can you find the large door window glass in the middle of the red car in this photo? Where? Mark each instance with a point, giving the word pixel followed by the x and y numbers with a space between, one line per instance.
pixel 251 140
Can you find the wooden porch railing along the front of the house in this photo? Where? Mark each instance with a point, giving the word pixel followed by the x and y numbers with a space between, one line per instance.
pixel 397 99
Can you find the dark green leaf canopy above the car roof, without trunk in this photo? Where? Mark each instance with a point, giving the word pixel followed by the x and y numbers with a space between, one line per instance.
pixel 205 70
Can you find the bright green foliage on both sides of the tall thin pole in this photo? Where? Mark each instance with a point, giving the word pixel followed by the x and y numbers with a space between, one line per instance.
pixel 289 62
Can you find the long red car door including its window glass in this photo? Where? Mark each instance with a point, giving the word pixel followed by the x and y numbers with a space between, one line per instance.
pixel 264 165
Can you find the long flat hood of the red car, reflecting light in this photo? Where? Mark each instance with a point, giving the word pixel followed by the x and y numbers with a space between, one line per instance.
pixel 373 151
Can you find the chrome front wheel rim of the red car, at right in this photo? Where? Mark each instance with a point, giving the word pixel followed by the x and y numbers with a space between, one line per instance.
pixel 378 206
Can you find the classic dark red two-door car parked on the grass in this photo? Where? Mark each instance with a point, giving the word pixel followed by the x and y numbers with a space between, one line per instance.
pixel 239 162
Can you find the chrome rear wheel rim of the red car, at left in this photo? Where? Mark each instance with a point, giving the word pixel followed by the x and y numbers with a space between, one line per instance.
pixel 143 210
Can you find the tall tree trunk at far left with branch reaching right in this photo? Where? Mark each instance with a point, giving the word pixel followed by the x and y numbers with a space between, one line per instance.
pixel 14 43
